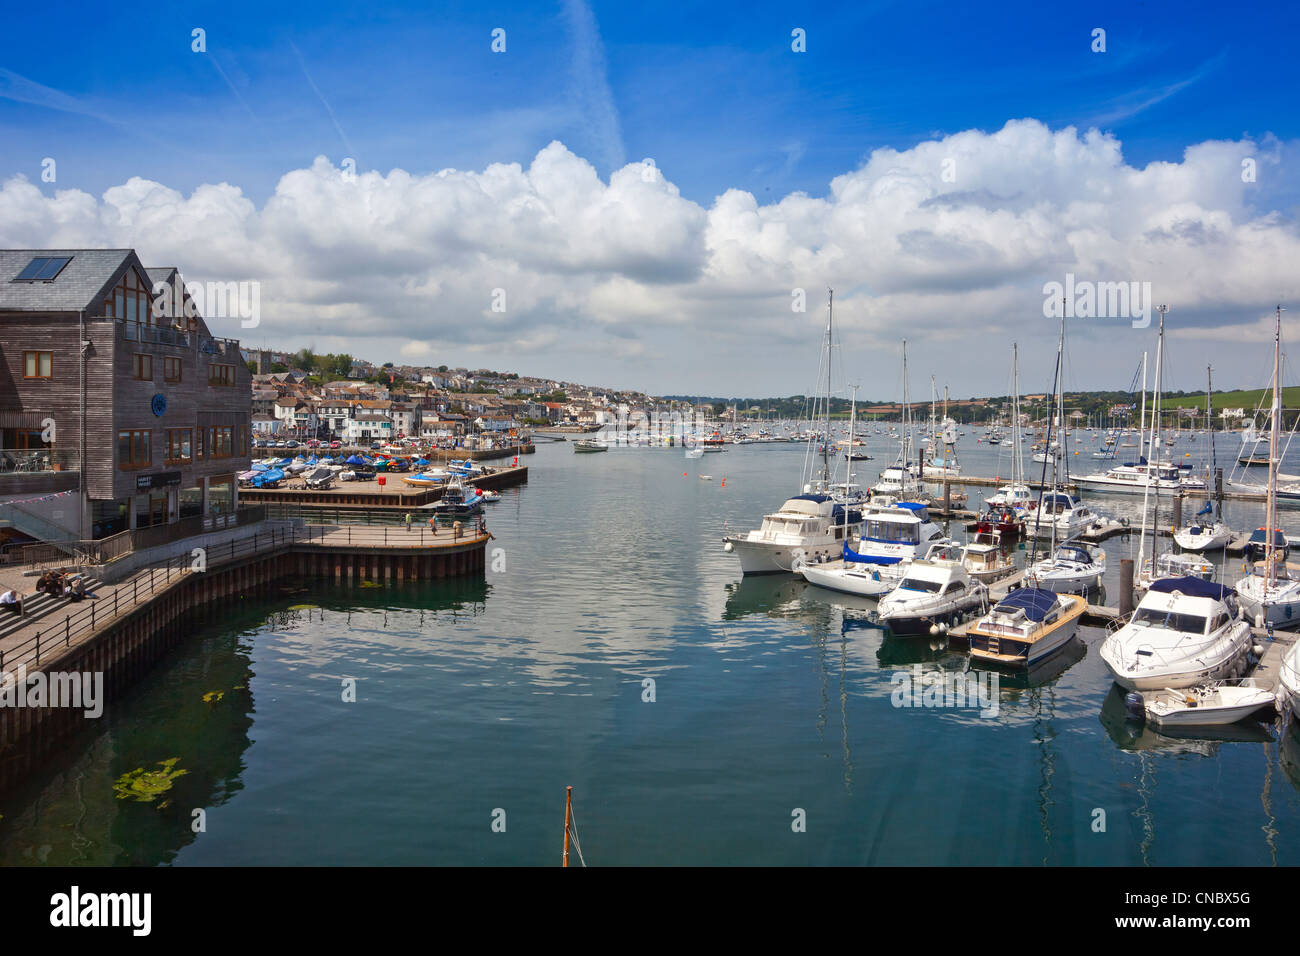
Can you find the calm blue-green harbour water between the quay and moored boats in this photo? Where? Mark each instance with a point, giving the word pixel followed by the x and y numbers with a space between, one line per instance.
pixel 770 697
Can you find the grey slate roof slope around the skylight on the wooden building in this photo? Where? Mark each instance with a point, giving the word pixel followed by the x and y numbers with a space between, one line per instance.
pixel 89 276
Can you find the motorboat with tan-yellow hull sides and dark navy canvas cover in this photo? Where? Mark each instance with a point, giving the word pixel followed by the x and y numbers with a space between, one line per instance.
pixel 1025 629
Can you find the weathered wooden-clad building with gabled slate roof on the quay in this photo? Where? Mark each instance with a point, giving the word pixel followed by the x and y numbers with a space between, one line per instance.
pixel 112 384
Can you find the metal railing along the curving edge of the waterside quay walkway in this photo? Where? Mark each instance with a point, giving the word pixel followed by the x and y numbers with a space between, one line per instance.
pixel 161 576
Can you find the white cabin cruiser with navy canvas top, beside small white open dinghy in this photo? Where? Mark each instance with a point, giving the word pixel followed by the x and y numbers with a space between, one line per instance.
pixel 1185 631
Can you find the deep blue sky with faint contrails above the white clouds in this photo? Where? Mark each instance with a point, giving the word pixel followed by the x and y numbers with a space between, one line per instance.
pixel 712 92
